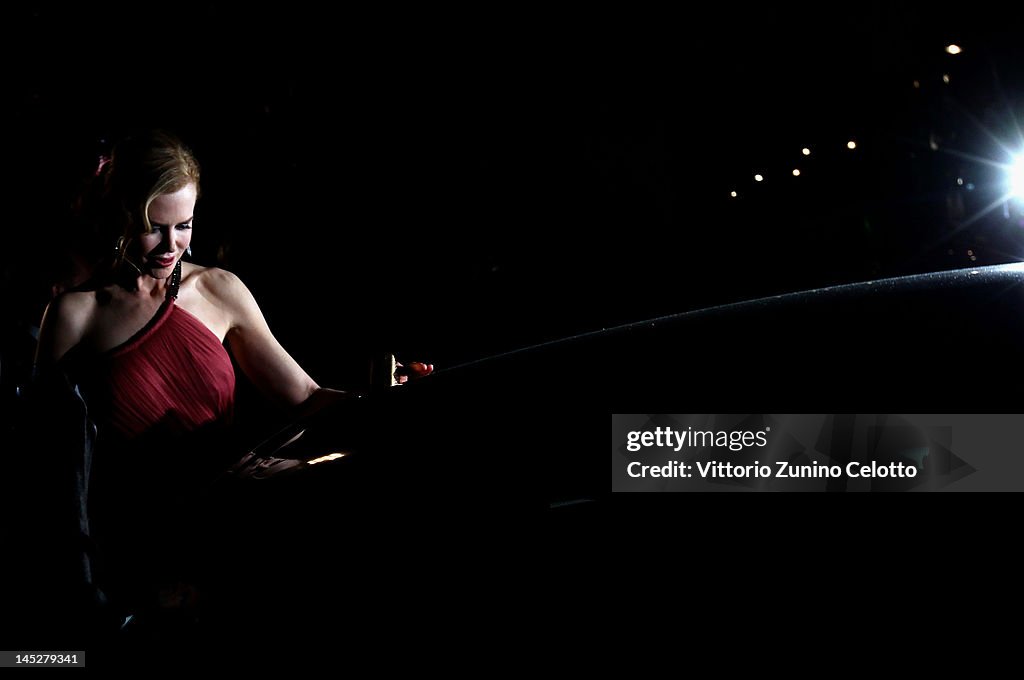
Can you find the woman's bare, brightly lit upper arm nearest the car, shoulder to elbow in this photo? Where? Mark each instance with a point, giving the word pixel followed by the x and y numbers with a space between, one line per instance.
pixel 263 359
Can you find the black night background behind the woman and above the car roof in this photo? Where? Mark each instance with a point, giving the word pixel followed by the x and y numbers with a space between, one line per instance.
pixel 452 184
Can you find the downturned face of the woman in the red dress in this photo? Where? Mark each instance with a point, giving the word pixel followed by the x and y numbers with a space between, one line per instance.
pixel 172 217
